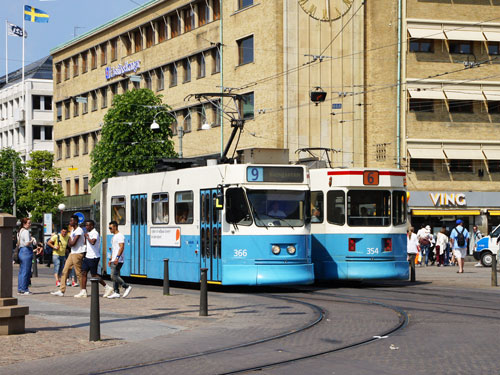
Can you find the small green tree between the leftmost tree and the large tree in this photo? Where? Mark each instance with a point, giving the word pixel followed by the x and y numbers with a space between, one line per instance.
pixel 39 193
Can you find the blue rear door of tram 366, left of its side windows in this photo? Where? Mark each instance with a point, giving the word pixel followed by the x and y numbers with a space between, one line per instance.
pixel 138 240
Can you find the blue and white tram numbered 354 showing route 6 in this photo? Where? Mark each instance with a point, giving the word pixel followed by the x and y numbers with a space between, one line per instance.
pixel 358 224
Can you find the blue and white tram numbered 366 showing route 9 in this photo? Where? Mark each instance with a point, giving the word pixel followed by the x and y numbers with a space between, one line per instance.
pixel 258 235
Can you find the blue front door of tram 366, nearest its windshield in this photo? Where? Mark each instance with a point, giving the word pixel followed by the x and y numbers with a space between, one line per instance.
pixel 210 234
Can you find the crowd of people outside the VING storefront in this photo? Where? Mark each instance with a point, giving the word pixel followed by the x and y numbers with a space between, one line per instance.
pixel 443 248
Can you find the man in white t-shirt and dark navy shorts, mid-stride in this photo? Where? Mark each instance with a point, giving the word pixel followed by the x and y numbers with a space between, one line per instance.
pixel 91 260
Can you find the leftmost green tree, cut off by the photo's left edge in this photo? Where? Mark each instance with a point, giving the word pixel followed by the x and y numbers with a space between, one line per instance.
pixel 8 157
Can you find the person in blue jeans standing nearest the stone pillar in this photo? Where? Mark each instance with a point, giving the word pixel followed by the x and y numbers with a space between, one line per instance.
pixel 26 245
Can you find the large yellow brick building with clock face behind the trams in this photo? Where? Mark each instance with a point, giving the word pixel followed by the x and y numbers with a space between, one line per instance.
pixel 410 84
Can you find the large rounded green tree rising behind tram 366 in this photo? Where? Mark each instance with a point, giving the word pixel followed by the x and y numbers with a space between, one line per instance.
pixel 127 142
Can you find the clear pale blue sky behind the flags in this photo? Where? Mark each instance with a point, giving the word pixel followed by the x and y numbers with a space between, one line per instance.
pixel 65 16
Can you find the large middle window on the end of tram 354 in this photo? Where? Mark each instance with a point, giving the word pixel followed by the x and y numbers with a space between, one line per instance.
pixel 369 208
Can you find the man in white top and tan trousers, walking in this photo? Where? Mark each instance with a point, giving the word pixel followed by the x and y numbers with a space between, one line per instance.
pixel 75 258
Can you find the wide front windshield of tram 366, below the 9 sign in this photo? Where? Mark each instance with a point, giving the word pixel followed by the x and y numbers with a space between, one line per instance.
pixel 278 207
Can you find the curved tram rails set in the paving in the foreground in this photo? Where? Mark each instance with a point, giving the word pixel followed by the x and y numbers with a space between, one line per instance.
pixel 312 301
